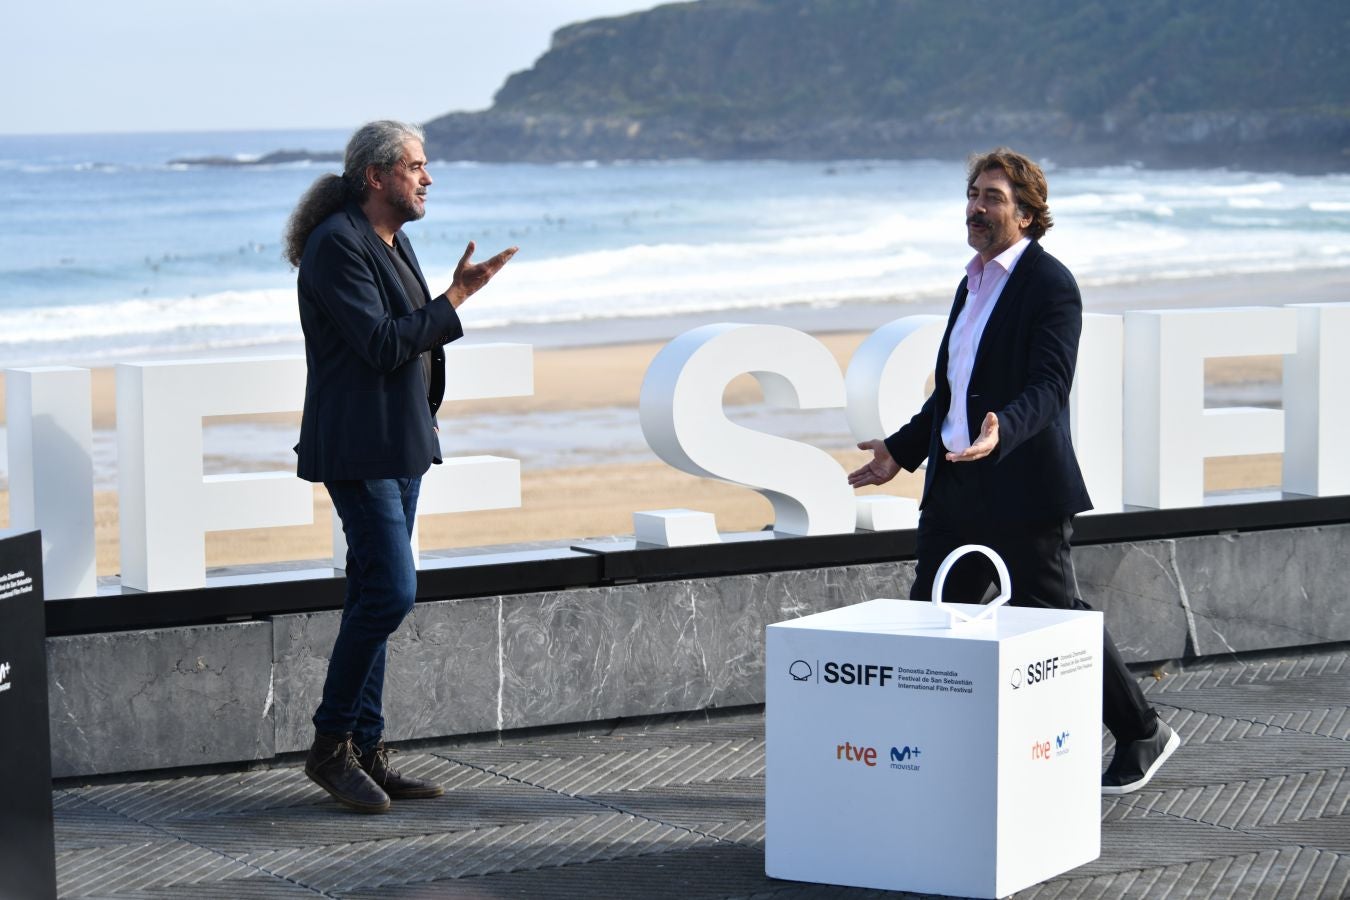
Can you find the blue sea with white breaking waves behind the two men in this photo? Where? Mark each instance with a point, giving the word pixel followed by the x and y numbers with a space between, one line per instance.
pixel 109 252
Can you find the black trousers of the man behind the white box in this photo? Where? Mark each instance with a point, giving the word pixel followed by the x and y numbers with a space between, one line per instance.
pixel 1037 557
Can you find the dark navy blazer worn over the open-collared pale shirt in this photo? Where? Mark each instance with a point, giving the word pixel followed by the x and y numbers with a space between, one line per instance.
pixel 1024 369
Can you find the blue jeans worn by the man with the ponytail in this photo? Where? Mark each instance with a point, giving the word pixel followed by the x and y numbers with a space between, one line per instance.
pixel 377 517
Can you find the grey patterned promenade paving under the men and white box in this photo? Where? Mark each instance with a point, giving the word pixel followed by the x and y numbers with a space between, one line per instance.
pixel 1255 805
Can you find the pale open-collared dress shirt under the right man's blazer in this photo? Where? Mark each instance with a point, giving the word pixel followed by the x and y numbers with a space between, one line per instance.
pixel 983 284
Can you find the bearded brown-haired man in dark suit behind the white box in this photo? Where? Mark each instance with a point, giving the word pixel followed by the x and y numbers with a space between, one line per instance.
pixel 996 435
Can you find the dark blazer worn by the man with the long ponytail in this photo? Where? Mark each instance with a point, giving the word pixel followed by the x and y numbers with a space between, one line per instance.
pixel 368 412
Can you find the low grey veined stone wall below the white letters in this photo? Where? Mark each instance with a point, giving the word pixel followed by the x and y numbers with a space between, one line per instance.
pixel 245 692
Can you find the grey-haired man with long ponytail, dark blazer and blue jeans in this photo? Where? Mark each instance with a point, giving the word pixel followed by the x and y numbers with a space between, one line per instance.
pixel 376 380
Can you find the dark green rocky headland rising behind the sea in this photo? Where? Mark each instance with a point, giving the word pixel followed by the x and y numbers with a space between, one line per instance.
pixel 1213 83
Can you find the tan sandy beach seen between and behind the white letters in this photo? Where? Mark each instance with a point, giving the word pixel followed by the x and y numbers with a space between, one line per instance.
pixel 576 503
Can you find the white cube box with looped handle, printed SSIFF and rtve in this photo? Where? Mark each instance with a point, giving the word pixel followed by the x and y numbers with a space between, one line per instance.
pixel 912 750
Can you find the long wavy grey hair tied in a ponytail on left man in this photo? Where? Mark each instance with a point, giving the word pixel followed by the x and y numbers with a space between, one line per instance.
pixel 377 144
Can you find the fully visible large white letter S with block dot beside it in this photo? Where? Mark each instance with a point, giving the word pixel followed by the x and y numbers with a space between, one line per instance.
pixel 682 418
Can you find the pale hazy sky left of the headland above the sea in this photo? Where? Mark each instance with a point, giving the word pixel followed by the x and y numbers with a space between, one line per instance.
pixel 207 65
